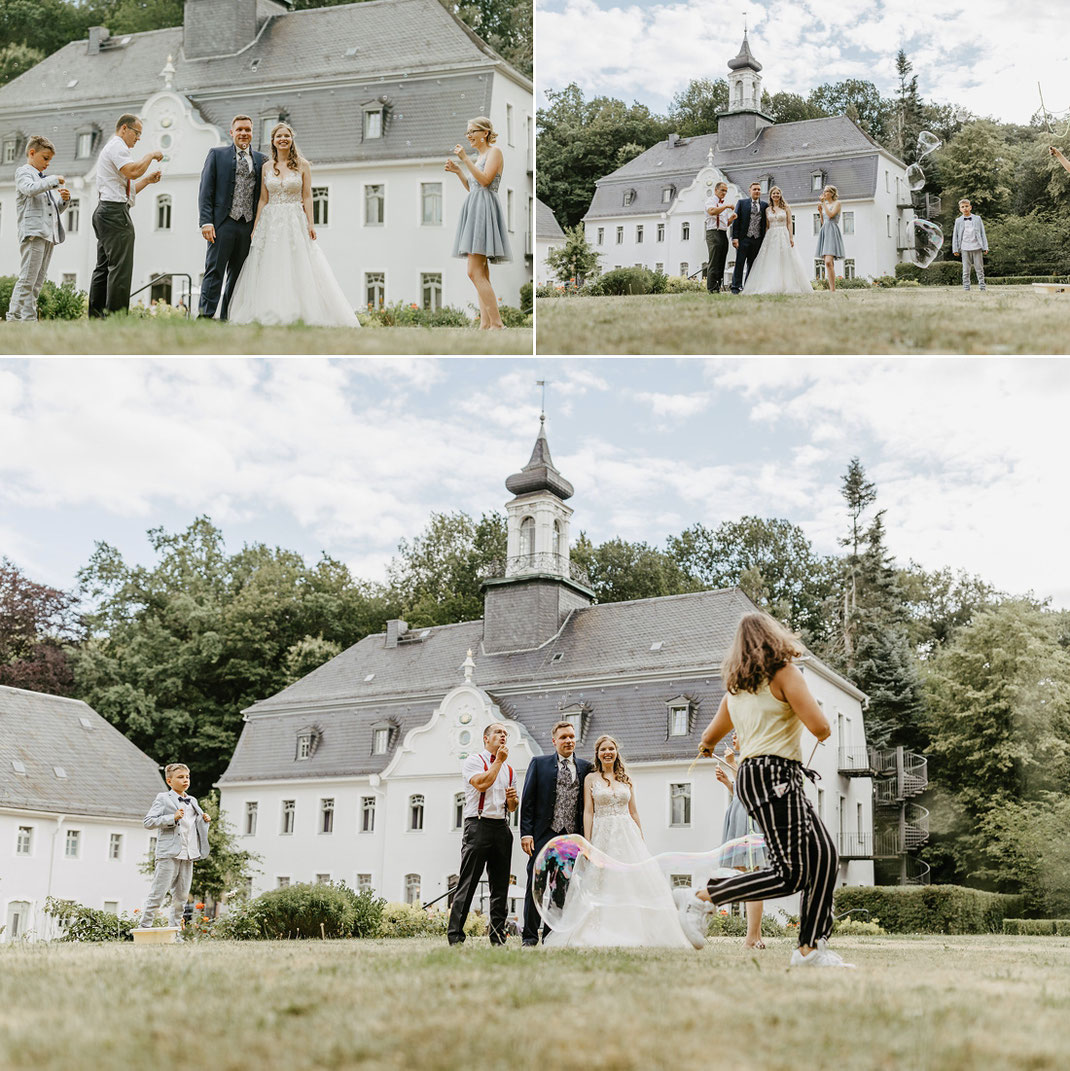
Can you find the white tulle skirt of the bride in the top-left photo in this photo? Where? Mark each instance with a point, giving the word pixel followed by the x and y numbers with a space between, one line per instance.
pixel 287 277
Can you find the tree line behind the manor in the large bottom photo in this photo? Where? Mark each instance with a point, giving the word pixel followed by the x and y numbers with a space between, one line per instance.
pixel 977 680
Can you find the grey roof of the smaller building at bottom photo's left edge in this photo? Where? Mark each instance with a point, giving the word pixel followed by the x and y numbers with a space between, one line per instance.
pixel 107 775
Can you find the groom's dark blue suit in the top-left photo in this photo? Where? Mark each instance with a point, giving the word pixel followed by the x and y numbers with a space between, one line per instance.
pixel 233 237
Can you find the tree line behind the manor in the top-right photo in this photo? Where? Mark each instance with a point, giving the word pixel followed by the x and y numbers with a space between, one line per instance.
pixel 1004 169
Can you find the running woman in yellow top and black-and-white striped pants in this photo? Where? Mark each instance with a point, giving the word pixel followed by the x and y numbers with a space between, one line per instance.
pixel 768 704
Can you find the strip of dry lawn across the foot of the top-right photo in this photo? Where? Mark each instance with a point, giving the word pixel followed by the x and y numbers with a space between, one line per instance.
pixel 908 321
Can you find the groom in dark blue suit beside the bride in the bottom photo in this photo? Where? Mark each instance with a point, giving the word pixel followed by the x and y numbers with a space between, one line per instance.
pixel 553 805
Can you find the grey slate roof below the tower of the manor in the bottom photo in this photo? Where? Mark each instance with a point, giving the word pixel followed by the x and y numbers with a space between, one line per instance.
pixel 600 658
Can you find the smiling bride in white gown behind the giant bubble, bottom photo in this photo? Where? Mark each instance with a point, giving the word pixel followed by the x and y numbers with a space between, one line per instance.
pixel 608 908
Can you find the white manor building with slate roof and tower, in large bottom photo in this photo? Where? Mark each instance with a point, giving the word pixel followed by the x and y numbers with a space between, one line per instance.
pixel 354 773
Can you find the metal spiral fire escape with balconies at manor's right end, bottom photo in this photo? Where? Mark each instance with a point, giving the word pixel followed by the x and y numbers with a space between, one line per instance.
pixel 901 826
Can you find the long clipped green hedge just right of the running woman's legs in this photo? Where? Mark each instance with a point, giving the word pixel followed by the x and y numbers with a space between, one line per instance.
pixel 930 909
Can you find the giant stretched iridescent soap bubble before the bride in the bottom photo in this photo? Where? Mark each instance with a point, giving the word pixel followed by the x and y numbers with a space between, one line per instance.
pixel 571 876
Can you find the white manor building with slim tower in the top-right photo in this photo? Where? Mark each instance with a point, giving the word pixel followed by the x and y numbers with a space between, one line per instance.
pixel 651 213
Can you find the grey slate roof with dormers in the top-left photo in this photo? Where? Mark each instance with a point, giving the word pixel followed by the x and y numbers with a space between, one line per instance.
pixel 435 73
